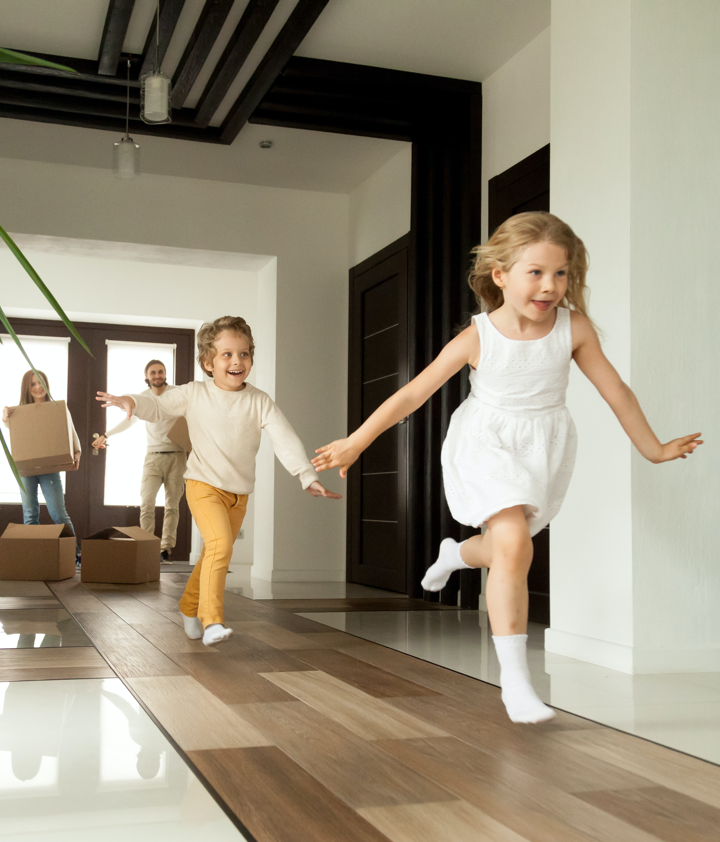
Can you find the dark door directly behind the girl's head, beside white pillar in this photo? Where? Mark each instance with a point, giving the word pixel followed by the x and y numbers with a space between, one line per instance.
pixel 526 187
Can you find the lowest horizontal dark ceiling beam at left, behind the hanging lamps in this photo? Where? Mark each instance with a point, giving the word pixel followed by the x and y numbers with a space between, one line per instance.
pixel 114 124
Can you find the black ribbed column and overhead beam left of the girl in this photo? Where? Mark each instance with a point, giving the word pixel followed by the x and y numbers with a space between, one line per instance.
pixel 442 118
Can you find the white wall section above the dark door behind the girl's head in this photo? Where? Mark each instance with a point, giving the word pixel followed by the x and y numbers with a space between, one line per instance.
pixel 516 112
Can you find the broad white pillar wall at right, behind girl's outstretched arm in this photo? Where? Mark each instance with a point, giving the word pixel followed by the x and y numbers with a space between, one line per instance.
pixel 633 552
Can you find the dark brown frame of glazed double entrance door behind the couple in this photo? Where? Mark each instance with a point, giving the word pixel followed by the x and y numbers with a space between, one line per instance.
pixel 85 488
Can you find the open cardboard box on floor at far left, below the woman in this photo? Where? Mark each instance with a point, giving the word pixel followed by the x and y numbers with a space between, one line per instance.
pixel 37 553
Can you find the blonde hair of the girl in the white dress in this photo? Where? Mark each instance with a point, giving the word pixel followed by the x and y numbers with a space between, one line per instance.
pixel 511 239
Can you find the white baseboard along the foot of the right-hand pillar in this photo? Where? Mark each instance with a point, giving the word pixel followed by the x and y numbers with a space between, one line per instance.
pixel 631 659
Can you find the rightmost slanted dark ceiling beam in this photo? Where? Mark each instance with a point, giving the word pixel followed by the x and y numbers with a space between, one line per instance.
pixel 289 39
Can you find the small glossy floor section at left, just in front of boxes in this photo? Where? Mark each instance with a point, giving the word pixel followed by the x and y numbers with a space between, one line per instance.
pixel 37 628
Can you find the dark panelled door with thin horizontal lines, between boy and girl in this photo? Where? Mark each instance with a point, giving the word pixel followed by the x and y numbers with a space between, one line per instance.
pixel 377 487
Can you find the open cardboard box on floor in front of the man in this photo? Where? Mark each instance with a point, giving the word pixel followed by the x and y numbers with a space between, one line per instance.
pixel 121 555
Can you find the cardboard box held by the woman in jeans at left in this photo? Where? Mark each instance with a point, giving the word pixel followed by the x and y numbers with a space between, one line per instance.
pixel 41 439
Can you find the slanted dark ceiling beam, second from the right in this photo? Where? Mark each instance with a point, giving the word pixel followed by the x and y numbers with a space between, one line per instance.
pixel 256 15
